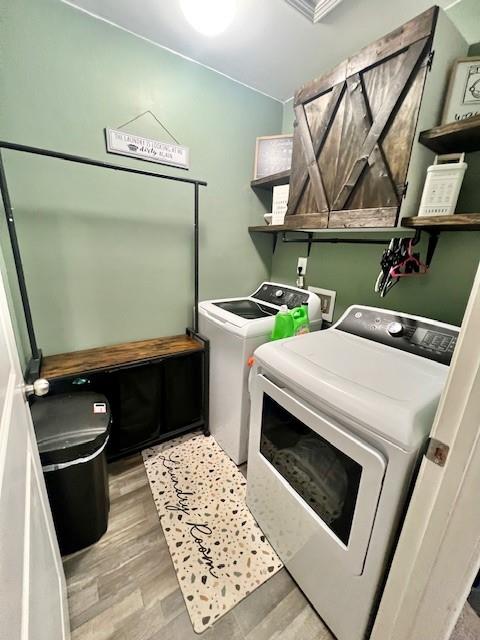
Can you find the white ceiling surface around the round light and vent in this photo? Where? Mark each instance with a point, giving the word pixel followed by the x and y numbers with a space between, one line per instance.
pixel 269 46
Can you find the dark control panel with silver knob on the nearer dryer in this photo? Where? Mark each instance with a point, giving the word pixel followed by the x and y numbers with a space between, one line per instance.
pixel 419 336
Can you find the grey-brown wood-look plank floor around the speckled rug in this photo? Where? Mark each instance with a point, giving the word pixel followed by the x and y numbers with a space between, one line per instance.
pixel 125 586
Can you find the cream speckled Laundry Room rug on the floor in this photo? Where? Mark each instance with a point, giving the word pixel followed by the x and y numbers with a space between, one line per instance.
pixel 218 551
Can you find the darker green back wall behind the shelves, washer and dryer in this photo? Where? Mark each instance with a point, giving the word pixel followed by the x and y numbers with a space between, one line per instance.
pixel 352 270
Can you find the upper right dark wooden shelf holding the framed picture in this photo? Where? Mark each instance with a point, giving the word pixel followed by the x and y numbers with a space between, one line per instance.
pixel 455 137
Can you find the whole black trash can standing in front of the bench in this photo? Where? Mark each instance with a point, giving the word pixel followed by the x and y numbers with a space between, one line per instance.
pixel 72 432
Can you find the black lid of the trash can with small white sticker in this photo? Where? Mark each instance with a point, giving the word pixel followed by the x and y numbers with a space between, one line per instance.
pixel 70 426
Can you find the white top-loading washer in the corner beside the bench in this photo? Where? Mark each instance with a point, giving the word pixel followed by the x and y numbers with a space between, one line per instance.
pixel 235 327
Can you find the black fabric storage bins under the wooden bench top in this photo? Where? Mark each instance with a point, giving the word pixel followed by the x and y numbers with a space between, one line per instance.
pixel 149 401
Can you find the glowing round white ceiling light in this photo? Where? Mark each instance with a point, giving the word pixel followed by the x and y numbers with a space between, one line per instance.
pixel 209 17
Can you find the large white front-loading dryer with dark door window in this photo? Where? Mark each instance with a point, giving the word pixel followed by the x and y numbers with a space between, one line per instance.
pixel 339 419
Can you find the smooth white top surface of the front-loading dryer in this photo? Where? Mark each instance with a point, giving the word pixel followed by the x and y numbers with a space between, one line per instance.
pixel 390 392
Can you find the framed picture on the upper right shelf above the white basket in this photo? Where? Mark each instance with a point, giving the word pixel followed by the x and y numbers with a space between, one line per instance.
pixel 463 93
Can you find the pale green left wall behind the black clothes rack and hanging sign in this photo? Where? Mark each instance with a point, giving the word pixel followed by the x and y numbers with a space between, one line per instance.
pixel 108 257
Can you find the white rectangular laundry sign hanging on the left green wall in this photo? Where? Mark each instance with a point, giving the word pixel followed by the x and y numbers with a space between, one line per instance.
pixel 127 144
